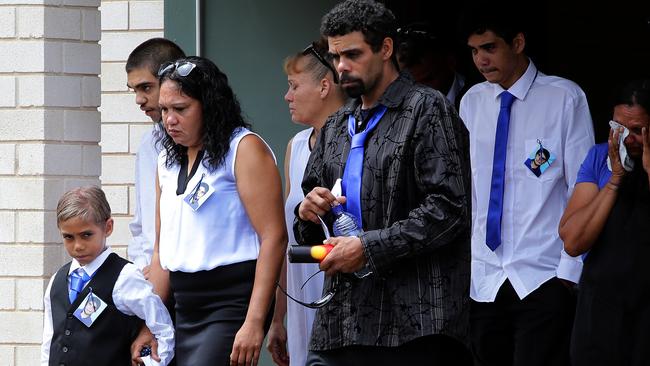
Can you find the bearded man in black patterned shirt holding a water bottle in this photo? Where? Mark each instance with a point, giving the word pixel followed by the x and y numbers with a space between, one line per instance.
pixel 414 205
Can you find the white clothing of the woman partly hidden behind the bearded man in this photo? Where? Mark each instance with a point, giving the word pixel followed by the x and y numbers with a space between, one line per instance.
pixel 299 318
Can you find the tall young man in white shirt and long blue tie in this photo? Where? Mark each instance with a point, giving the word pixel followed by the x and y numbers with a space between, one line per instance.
pixel 522 304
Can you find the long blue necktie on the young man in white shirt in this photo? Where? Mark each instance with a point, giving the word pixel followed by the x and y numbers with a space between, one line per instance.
pixel 495 208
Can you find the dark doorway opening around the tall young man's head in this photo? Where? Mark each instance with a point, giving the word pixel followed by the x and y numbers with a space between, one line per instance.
pixel 596 46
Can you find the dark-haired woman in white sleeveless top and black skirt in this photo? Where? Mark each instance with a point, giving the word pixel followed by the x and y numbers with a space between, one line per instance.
pixel 219 254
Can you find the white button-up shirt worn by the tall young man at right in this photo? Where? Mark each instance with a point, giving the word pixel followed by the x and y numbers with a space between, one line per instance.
pixel 547 110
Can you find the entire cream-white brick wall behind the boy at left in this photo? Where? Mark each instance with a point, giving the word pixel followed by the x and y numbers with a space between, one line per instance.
pixel 50 127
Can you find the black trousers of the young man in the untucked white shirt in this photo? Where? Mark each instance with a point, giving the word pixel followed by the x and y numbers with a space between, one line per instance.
pixel 523 332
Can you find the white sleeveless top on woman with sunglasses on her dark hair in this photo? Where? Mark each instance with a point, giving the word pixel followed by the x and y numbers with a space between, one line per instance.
pixel 219 232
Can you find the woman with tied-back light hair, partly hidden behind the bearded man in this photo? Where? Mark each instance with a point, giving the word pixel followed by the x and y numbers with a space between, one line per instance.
pixel 312 96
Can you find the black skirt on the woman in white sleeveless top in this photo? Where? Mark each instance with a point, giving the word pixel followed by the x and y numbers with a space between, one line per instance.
pixel 210 308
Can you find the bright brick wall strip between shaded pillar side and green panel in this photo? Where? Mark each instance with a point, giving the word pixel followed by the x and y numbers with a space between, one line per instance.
pixel 125 24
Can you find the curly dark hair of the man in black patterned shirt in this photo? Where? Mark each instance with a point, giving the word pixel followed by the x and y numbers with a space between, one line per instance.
pixel 371 18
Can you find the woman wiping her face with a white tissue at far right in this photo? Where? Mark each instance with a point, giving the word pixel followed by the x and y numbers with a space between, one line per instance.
pixel 608 216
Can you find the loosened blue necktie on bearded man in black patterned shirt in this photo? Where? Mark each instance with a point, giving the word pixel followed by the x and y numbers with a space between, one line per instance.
pixel 354 165
